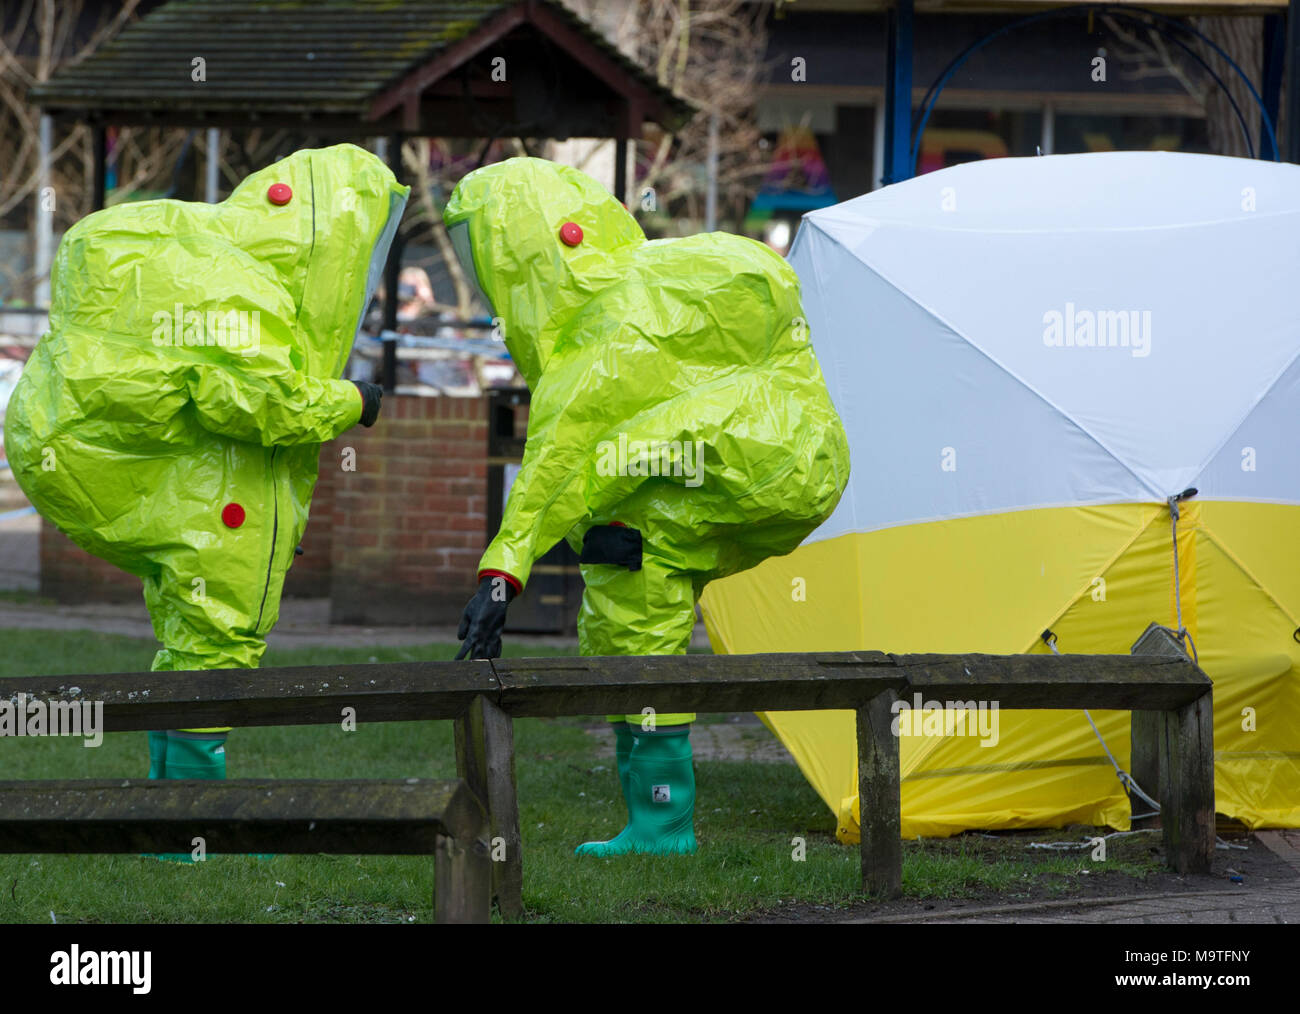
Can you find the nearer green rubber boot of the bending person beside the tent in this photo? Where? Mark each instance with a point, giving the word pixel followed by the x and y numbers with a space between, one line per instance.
pixel 661 794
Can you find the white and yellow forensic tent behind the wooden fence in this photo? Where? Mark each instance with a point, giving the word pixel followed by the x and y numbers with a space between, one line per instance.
pixel 1032 357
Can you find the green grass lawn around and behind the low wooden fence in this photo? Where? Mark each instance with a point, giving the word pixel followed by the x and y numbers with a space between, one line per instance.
pixel 748 817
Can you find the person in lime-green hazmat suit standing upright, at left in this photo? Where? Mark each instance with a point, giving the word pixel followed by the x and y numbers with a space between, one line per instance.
pixel 171 421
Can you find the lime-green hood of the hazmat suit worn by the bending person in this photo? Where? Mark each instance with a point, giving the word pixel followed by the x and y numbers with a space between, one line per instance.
pixel 505 220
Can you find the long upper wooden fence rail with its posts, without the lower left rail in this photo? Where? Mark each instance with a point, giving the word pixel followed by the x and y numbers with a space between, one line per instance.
pixel 1171 699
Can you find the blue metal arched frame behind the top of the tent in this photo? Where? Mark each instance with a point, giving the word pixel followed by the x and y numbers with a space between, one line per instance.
pixel 1165 25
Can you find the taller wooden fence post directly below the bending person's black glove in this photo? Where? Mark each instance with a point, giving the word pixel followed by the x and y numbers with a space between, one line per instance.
pixel 486 760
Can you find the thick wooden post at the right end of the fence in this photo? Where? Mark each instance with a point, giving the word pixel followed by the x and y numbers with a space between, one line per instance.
pixel 1178 749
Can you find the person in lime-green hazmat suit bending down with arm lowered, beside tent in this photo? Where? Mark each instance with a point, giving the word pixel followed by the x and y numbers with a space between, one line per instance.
pixel 681 431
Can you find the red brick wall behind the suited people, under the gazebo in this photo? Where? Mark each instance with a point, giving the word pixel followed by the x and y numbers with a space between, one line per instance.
pixel 396 541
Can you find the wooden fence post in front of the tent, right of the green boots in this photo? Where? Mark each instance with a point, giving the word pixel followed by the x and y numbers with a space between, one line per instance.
pixel 879 799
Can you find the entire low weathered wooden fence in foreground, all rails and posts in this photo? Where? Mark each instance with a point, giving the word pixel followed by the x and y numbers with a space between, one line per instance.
pixel 1169 696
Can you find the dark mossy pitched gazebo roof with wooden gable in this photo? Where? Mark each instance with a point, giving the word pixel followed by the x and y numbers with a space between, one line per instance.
pixel 447 68
